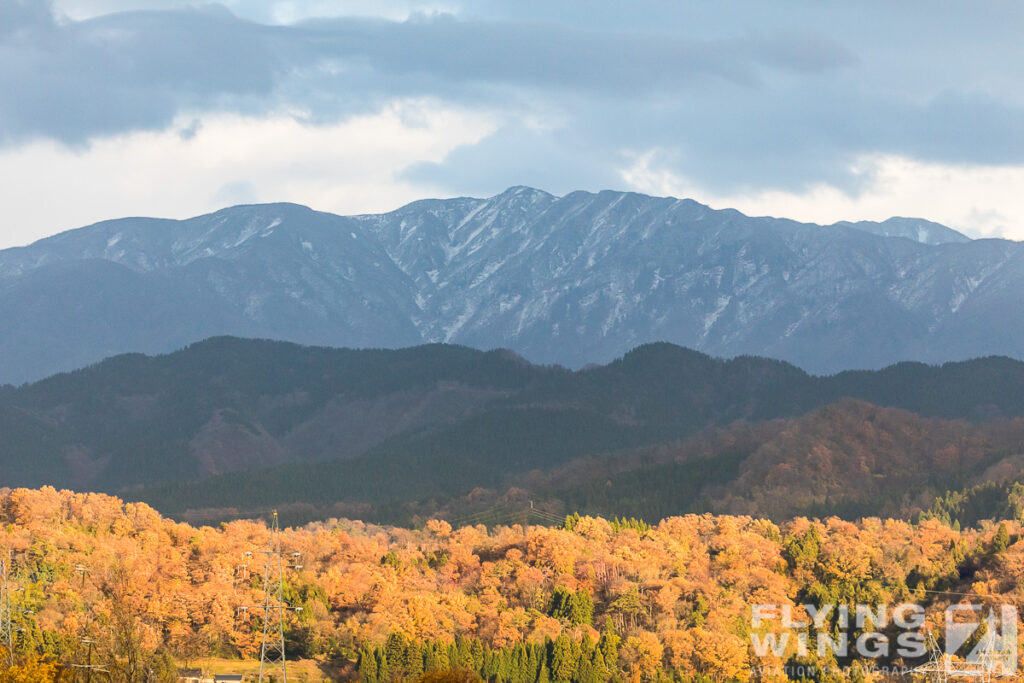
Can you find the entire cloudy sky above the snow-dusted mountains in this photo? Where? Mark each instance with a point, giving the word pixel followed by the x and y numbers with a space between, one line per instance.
pixel 816 111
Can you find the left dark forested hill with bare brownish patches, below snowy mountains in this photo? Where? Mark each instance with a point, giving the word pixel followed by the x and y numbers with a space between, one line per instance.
pixel 231 404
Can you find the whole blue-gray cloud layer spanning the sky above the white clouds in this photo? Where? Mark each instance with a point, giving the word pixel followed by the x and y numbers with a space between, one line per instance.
pixel 734 95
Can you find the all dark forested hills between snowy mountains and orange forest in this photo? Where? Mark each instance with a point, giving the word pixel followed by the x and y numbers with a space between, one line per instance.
pixel 387 435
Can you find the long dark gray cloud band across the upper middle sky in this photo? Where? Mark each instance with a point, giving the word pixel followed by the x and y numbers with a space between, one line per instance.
pixel 562 58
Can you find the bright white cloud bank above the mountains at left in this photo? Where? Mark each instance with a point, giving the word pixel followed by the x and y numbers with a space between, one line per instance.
pixel 350 167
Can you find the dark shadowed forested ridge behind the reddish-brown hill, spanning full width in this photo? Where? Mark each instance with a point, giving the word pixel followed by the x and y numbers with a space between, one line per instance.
pixel 231 405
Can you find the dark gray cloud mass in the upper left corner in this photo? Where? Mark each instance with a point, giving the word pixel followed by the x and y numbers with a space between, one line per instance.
pixel 126 72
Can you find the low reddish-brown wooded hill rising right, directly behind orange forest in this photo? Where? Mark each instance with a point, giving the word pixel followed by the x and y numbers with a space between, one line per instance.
pixel 850 459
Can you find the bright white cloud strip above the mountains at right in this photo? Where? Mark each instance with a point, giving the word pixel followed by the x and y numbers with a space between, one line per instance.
pixel 979 201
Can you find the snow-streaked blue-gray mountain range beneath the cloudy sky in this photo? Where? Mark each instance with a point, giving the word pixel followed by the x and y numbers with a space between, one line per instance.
pixel 570 280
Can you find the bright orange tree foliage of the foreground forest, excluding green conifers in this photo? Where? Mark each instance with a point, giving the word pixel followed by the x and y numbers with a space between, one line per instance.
pixel 679 594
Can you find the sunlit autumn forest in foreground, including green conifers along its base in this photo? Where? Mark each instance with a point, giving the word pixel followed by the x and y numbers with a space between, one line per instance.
pixel 95 578
